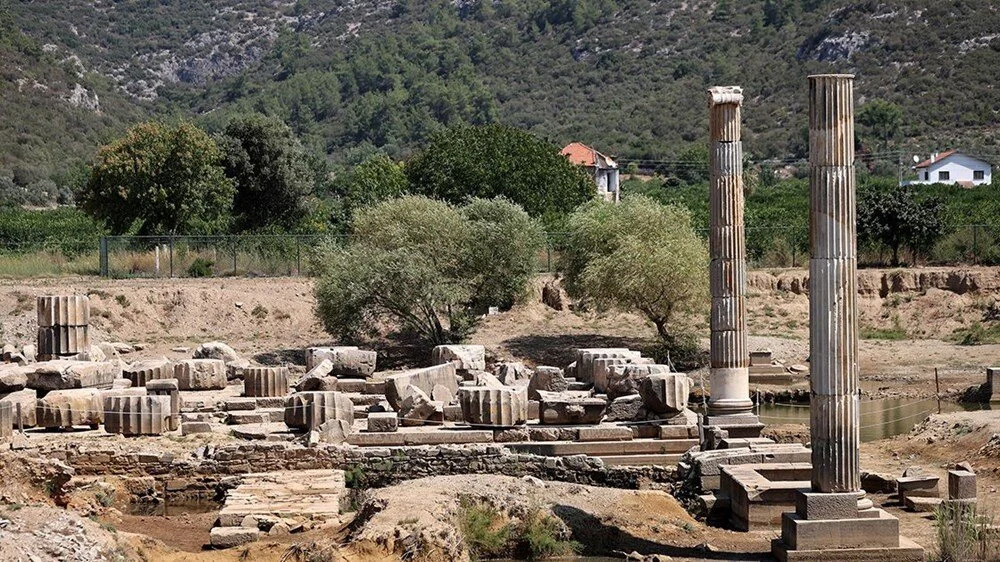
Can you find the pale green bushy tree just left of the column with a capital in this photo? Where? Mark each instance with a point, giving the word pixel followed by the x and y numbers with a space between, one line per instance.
pixel 638 255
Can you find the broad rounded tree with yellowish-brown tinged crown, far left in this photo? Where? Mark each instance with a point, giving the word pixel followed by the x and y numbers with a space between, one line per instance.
pixel 159 179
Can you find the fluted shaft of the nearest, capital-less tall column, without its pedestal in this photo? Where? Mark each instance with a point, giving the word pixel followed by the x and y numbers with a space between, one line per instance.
pixel 833 321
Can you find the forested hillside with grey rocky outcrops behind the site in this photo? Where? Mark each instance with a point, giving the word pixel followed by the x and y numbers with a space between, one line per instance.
pixel 355 76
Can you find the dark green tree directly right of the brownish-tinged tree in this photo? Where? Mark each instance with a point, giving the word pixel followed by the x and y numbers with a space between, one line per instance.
pixel 270 171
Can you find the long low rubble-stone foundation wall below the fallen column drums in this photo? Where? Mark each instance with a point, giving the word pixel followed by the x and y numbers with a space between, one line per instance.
pixel 377 466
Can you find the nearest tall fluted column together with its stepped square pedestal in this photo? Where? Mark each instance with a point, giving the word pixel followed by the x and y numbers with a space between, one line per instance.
pixel 834 521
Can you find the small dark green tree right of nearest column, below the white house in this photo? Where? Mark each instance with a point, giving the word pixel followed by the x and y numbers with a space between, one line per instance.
pixel 896 218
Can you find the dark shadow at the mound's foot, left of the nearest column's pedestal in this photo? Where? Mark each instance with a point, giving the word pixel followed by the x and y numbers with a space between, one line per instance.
pixel 599 539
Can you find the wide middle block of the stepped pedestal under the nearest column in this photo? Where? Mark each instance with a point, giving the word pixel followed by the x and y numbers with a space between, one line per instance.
pixel 799 533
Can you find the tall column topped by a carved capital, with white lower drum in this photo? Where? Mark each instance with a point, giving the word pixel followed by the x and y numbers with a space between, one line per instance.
pixel 729 378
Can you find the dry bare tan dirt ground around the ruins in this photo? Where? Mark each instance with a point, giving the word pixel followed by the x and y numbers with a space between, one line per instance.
pixel 272 320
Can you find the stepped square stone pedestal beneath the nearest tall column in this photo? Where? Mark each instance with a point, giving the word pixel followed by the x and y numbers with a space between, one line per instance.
pixel 831 527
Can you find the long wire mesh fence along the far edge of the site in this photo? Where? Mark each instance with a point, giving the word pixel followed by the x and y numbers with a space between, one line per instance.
pixel 282 255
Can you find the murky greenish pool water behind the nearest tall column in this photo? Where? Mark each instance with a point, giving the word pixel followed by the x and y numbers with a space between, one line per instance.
pixel 879 418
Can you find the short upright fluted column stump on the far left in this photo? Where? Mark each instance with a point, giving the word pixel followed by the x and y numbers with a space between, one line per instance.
pixel 63 326
